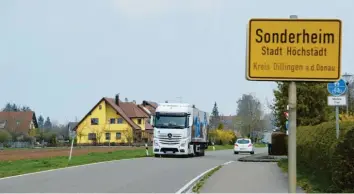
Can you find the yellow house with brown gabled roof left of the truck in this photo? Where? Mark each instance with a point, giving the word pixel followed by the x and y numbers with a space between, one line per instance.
pixel 112 120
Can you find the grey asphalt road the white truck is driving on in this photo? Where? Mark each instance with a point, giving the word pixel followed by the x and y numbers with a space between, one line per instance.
pixel 144 175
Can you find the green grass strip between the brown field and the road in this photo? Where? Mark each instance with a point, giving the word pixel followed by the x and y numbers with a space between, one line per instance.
pixel 17 167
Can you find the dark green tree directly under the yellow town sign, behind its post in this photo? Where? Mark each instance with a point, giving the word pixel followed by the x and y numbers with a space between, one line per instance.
pixel 312 108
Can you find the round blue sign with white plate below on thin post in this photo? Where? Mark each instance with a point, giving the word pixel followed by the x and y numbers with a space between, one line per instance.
pixel 337 89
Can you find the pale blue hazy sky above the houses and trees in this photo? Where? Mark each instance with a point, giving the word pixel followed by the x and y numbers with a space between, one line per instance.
pixel 60 57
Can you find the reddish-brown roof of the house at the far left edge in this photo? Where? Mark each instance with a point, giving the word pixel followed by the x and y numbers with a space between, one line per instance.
pixel 17 121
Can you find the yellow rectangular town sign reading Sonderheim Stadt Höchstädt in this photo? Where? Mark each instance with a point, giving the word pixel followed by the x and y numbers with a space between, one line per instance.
pixel 302 50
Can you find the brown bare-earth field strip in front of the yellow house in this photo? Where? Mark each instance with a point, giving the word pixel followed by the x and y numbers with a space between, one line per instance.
pixel 20 154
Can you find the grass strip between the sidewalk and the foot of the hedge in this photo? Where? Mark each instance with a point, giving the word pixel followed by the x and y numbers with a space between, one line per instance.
pixel 305 180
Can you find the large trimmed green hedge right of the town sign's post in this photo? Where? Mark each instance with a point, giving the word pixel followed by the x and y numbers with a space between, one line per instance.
pixel 328 159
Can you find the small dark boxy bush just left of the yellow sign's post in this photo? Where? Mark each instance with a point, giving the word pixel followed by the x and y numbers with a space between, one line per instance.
pixel 279 144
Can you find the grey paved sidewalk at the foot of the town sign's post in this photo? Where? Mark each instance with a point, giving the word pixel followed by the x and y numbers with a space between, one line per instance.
pixel 248 177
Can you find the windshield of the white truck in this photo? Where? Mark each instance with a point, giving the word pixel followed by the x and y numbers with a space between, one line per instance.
pixel 171 121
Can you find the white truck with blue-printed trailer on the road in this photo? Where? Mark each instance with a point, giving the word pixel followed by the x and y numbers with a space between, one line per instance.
pixel 180 129
